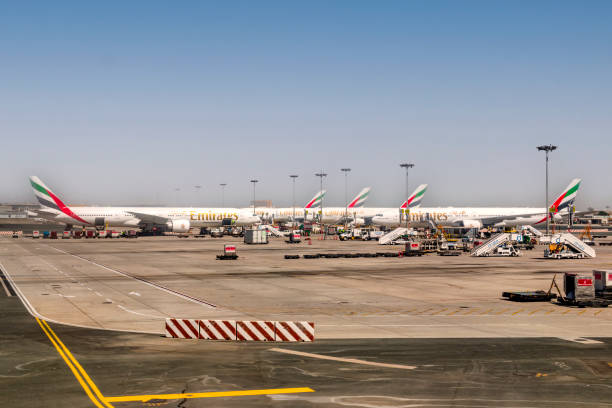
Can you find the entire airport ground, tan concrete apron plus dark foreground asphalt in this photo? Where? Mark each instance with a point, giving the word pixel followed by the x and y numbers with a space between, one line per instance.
pixel 391 332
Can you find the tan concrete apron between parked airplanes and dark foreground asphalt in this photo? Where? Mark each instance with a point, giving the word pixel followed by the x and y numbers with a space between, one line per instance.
pixel 134 284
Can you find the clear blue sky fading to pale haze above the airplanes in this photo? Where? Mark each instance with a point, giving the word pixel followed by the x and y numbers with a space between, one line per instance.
pixel 123 102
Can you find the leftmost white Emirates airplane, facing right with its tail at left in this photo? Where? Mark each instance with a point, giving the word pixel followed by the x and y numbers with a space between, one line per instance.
pixel 170 219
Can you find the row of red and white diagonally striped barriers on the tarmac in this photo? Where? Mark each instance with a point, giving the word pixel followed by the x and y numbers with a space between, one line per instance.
pixel 239 330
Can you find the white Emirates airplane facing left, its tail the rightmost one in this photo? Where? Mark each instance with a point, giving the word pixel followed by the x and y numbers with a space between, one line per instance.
pixel 478 217
